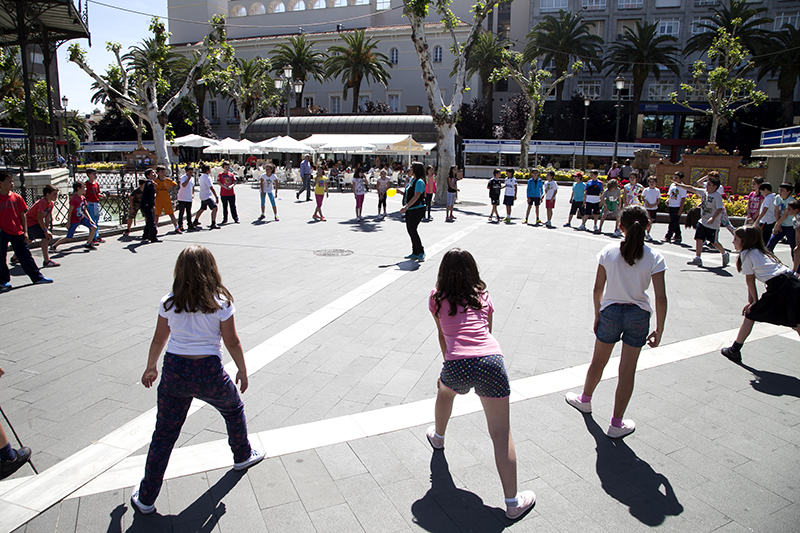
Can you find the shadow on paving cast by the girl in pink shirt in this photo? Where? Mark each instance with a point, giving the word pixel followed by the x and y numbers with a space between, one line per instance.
pixel 448 509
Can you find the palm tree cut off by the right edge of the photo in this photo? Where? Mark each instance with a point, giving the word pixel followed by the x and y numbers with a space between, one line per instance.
pixel 779 56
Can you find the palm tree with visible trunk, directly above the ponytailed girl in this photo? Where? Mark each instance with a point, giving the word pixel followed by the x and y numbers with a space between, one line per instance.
pixel 642 52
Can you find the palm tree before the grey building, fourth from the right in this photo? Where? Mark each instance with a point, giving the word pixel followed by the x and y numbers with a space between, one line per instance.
pixel 560 40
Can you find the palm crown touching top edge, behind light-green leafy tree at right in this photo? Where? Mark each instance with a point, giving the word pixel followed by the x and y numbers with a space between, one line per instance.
pixel 739 19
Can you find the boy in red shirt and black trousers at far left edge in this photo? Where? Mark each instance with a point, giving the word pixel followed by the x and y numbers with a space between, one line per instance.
pixel 14 230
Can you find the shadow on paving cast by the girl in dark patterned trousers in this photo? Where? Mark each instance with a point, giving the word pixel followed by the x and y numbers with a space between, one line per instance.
pixel 202 515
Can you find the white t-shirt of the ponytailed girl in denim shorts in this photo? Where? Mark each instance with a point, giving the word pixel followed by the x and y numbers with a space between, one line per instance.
pixel 627 284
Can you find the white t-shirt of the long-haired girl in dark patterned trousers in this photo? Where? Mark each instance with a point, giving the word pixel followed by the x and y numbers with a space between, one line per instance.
pixel 195 333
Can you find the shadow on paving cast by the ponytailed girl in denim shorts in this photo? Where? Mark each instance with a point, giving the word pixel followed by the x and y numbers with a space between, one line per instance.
pixel 632 481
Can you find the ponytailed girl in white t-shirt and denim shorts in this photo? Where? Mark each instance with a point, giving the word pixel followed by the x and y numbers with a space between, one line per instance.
pixel 622 311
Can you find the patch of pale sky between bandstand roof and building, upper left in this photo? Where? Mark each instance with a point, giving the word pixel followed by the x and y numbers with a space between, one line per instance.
pixel 105 24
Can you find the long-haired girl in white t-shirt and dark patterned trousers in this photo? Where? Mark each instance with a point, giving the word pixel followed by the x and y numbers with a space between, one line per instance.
pixel 193 322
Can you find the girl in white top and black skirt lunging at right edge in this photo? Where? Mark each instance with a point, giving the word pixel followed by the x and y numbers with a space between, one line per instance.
pixel 779 304
